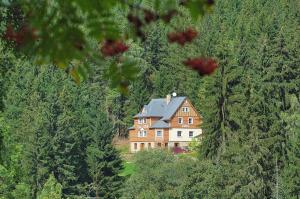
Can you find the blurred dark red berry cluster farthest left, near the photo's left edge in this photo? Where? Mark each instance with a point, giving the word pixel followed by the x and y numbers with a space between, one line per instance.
pixel 19 37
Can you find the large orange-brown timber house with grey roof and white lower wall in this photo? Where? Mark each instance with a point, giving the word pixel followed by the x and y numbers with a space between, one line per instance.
pixel 165 122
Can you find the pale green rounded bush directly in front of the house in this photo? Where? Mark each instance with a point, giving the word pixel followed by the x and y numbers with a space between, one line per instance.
pixel 158 175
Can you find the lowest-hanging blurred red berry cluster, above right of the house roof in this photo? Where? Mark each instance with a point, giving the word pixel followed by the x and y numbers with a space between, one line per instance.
pixel 204 66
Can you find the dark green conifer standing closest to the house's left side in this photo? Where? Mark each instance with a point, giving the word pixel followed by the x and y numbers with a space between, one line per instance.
pixel 104 163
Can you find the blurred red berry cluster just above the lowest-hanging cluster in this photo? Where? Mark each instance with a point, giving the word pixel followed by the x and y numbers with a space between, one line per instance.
pixel 182 37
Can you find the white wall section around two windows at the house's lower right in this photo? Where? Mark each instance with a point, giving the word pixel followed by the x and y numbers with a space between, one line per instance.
pixel 184 135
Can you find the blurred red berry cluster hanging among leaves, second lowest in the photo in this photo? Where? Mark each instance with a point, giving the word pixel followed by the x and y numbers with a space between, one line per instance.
pixel 113 47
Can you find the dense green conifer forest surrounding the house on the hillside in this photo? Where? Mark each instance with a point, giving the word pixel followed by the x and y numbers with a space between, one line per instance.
pixel 56 136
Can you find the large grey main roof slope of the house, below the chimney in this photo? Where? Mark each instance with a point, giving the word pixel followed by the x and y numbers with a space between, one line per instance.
pixel 160 108
